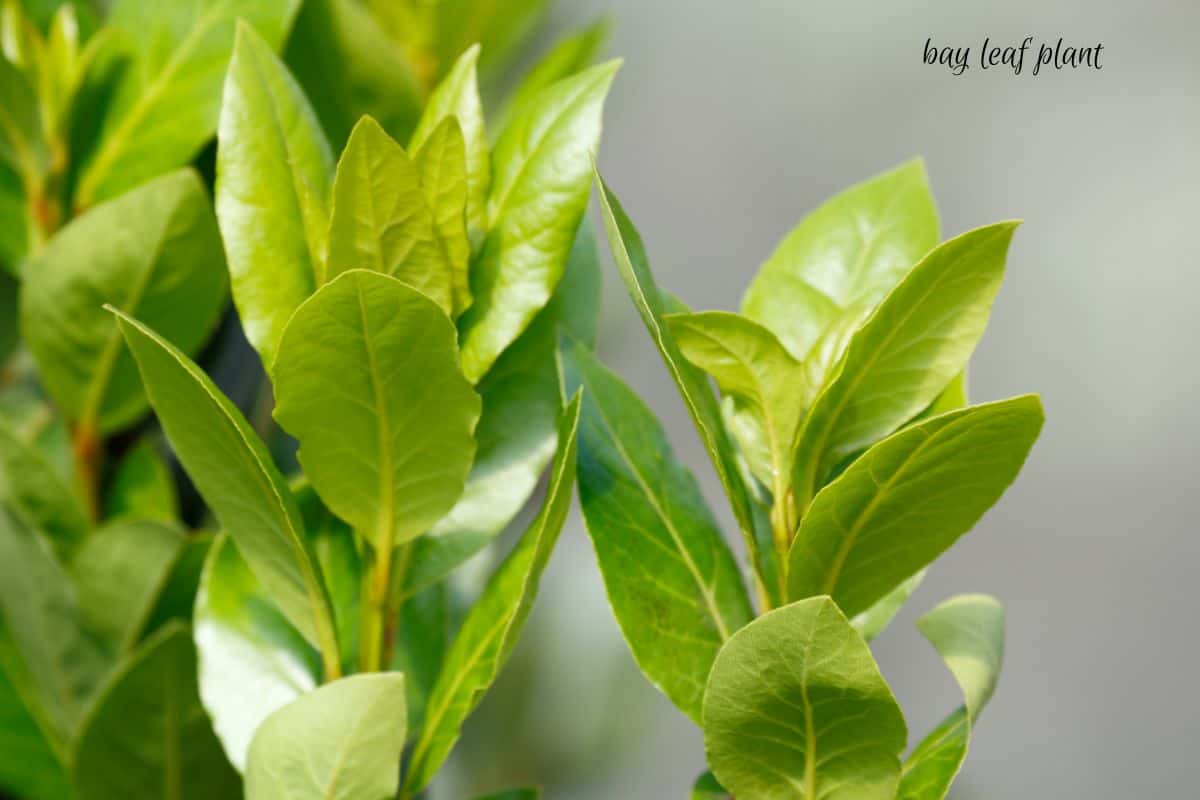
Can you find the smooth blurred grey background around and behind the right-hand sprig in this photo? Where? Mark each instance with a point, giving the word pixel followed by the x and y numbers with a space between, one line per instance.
pixel 730 122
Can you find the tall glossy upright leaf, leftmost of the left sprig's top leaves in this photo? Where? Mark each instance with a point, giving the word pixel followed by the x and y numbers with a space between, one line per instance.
pixel 274 177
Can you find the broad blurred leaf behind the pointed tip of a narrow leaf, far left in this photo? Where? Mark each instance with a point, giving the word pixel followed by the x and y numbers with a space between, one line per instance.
pixel 154 254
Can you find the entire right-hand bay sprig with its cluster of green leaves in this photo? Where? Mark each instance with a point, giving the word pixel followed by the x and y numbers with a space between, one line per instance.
pixel 851 460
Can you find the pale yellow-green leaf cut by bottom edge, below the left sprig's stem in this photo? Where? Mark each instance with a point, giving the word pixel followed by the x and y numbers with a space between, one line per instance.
pixel 339 743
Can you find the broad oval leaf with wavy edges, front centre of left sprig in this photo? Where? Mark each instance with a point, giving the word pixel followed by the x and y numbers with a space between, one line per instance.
pixel 382 359
